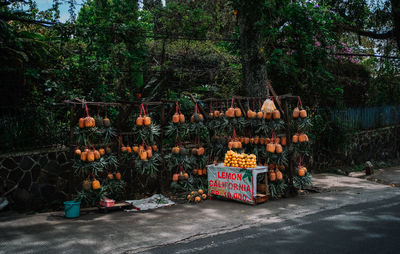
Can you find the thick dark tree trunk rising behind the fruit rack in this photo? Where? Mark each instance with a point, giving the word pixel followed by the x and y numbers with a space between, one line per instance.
pixel 254 67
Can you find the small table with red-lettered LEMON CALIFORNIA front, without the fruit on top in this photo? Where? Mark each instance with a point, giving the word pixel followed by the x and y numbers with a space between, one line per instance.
pixel 239 184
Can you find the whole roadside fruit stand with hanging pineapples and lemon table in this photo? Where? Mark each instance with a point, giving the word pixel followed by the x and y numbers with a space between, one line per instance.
pixel 146 144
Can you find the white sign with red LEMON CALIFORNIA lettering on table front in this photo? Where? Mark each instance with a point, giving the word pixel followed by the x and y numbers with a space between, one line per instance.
pixel 232 183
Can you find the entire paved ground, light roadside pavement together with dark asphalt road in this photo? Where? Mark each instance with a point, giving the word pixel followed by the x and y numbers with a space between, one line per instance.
pixel 276 223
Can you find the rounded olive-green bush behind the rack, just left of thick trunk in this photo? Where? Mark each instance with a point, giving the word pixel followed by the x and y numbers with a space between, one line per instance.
pixel 186 69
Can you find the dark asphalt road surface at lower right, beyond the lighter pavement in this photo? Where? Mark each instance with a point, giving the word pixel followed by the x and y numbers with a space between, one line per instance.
pixel 372 227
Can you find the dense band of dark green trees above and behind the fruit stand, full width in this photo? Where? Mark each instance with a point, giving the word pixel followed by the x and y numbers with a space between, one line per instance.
pixel 113 50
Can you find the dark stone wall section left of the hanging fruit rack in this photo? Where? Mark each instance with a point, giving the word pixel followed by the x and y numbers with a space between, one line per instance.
pixel 36 180
